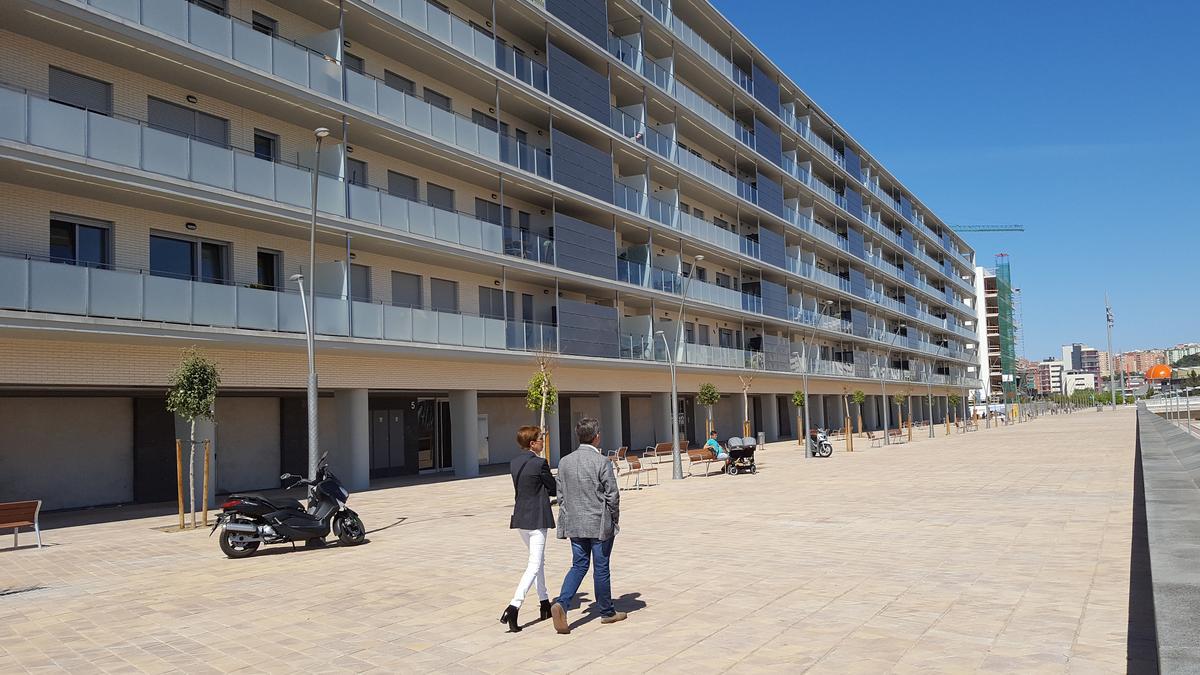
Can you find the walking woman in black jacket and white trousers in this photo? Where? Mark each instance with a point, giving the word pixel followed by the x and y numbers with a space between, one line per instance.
pixel 532 517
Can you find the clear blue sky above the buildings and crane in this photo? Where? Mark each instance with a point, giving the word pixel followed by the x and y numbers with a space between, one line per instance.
pixel 1079 121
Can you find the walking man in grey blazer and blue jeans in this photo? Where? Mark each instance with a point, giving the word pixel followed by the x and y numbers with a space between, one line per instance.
pixel 590 509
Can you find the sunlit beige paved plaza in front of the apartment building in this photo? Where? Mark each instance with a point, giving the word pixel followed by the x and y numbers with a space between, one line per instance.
pixel 1000 551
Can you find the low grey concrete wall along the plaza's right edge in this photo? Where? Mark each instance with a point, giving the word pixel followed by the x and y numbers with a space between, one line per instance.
pixel 1171 465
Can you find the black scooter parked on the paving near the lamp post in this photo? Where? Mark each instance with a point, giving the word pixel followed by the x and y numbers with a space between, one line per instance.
pixel 250 521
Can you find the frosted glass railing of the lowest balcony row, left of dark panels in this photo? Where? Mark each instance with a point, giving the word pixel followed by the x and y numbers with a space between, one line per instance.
pixel 135 295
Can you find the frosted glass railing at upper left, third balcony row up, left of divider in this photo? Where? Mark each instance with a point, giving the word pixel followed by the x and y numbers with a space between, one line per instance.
pixel 233 39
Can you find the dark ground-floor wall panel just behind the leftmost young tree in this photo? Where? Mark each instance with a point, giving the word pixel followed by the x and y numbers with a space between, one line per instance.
pixel 154 452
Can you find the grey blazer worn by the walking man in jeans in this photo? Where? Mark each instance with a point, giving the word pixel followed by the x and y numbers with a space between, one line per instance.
pixel 589 499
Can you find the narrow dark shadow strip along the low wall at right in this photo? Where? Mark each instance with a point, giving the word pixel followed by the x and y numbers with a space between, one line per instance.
pixel 1142 641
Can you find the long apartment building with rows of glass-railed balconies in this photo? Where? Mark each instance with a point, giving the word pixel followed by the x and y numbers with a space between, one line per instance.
pixel 567 178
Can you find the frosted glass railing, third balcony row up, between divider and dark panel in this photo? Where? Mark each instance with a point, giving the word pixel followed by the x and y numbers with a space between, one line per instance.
pixel 405 110
